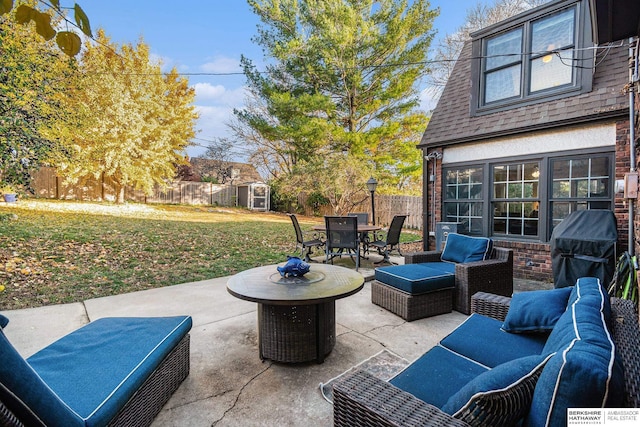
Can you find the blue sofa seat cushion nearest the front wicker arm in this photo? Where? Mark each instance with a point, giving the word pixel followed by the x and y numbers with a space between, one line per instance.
pixel 437 375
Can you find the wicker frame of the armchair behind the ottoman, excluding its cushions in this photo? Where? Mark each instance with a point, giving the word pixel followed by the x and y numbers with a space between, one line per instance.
pixel 494 275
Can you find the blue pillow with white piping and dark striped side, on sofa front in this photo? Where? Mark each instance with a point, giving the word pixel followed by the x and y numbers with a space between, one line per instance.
pixel 501 396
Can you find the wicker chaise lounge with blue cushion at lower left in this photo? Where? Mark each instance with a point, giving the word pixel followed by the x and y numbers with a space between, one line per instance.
pixel 113 371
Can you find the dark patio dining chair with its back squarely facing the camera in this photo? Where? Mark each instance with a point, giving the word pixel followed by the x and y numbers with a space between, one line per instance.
pixel 342 238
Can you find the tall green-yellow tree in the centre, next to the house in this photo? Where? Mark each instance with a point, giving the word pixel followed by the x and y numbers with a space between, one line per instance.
pixel 341 79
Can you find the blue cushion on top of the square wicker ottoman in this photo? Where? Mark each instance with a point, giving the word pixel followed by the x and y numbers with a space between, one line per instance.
pixel 418 278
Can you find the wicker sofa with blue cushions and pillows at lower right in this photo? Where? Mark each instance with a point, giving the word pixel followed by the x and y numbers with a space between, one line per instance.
pixel 590 358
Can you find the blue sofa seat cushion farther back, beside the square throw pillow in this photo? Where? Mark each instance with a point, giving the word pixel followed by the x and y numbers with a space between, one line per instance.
pixel 482 339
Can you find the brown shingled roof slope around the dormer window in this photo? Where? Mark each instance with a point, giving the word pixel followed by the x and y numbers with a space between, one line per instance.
pixel 451 121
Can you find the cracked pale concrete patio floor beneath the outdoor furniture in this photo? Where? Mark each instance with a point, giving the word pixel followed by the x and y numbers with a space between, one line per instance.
pixel 228 384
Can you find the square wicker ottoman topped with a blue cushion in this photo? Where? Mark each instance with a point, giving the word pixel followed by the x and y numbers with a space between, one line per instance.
pixel 414 291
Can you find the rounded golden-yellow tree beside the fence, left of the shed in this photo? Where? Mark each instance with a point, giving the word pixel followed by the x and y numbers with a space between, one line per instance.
pixel 137 121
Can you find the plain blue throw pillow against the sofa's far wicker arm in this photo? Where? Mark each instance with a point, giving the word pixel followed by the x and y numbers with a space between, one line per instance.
pixel 536 311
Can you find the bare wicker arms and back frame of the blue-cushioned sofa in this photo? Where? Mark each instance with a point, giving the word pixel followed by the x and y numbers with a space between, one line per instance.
pixel 362 399
